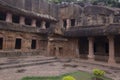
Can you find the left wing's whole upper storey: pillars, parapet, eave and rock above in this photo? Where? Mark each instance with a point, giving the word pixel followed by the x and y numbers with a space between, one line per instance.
pixel 27 16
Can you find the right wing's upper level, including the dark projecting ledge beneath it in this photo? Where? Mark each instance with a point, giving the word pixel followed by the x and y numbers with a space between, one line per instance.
pixel 90 20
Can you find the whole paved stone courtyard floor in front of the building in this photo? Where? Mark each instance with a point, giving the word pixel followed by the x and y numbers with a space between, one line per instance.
pixel 17 68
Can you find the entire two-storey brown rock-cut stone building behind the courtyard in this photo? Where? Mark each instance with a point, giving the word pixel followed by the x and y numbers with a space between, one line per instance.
pixel 63 31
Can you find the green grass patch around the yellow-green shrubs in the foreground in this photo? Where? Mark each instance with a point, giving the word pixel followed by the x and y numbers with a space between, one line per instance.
pixel 79 75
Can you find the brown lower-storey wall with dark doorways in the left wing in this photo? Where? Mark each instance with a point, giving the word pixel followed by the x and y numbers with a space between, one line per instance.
pixel 22 42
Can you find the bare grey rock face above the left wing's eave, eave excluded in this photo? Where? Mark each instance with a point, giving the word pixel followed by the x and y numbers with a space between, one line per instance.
pixel 39 6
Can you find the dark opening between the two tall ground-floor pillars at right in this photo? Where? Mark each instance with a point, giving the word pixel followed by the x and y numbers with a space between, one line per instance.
pixel 102 48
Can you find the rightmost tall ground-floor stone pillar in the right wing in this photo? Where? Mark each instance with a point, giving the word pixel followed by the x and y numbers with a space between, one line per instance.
pixel 111 59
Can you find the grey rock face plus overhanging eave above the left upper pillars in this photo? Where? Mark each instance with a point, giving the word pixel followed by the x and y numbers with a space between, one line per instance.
pixel 30 8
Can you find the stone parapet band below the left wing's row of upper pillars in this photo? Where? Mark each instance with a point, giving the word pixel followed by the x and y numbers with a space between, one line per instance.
pixel 21 28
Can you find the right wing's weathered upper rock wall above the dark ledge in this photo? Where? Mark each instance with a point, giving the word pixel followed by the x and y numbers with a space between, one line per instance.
pixel 93 15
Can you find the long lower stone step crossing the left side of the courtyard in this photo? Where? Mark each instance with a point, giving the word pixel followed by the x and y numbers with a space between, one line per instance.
pixel 26 64
